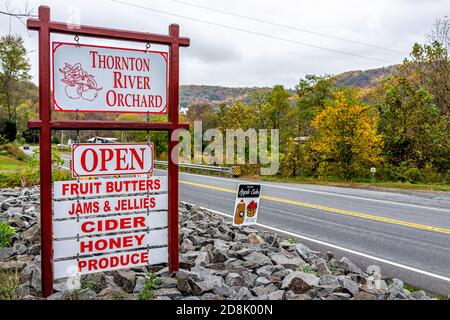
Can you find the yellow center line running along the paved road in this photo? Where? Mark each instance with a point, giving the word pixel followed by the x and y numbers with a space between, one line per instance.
pixel 329 209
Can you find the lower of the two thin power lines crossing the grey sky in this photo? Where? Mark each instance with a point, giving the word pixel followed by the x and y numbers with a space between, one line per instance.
pixel 249 31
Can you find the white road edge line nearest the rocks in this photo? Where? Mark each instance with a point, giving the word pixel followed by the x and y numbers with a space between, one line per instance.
pixel 395 264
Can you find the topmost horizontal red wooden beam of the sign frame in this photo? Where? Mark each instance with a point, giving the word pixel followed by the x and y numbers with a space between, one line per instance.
pixel 99 32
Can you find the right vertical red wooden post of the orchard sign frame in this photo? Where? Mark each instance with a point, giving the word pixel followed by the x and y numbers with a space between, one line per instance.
pixel 174 31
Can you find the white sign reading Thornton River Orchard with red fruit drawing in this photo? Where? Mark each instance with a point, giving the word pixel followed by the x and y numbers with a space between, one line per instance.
pixel 91 78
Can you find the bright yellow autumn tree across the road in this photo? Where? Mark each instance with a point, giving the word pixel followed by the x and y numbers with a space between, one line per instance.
pixel 345 142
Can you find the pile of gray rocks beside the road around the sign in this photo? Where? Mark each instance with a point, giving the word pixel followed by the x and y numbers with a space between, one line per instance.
pixel 217 261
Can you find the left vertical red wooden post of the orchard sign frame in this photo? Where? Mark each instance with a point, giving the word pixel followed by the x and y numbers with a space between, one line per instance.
pixel 45 153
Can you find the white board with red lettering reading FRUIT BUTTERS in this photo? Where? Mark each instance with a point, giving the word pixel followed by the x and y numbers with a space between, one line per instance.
pixel 108 187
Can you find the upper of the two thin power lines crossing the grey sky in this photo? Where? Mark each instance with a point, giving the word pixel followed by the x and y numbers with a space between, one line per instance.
pixel 287 26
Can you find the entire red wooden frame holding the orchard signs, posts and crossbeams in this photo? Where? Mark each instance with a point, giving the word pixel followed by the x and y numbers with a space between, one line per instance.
pixel 45 125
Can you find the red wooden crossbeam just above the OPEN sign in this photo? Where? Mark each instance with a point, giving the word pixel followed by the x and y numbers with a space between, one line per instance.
pixel 108 125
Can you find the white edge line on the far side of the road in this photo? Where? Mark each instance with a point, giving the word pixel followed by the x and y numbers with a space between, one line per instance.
pixel 320 192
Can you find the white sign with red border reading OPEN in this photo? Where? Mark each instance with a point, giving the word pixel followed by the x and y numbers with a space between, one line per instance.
pixel 109 159
